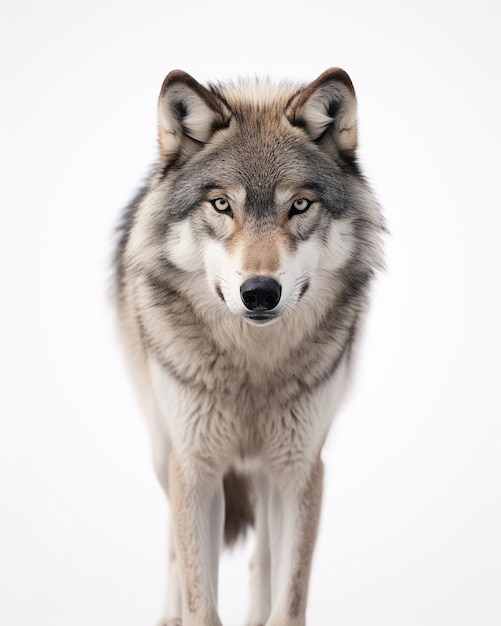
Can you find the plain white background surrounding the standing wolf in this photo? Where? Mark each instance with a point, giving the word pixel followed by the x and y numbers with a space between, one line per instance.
pixel 411 527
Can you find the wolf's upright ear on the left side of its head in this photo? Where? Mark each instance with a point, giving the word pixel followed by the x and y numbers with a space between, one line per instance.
pixel 188 116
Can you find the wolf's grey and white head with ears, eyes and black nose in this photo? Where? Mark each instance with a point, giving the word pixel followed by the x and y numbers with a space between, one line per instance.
pixel 259 192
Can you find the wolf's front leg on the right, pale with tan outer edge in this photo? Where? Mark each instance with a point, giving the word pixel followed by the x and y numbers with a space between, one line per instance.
pixel 294 516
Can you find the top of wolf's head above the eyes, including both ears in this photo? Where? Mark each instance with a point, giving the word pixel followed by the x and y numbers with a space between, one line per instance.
pixel 258 135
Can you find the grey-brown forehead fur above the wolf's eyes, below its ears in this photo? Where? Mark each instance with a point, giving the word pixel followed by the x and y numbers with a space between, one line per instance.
pixel 259 161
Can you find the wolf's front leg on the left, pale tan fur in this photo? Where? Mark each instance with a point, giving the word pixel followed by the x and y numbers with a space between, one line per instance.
pixel 197 503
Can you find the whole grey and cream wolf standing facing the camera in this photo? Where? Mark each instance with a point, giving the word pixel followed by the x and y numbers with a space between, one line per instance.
pixel 243 270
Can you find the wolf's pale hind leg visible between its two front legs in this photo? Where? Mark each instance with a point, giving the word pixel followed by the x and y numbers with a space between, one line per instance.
pixel 260 582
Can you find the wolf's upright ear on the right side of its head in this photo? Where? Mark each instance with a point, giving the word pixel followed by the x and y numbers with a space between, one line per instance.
pixel 327 110
